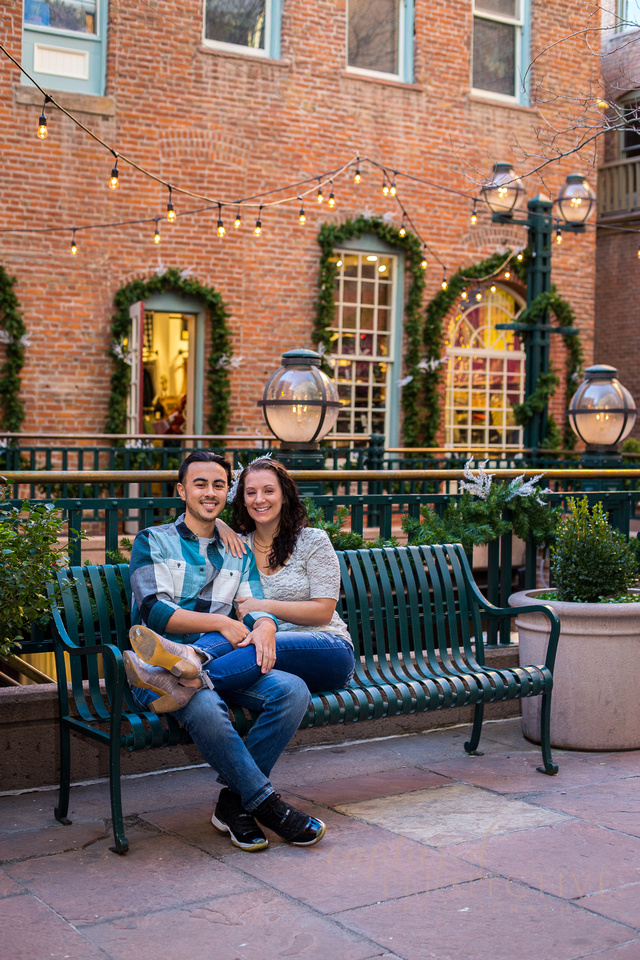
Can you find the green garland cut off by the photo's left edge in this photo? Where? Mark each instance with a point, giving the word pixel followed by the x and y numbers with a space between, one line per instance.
pixel 13 333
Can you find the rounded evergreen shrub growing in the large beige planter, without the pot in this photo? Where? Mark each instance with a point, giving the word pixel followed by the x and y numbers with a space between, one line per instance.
pixel 591 561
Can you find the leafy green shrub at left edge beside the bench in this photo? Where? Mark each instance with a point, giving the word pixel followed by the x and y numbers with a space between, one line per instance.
pixel 30 551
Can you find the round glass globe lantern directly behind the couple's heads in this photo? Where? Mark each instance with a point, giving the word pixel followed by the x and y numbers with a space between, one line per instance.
pixel 300 403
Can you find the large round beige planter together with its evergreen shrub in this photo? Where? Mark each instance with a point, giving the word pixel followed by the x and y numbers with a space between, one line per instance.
pixel 597 673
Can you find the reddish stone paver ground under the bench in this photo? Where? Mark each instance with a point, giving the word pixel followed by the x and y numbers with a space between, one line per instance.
pixel 428 854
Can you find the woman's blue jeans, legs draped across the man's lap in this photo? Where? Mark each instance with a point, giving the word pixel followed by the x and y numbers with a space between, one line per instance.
pixel 321 659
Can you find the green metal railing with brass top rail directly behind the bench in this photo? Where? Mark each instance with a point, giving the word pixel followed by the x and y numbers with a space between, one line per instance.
pixel 384 496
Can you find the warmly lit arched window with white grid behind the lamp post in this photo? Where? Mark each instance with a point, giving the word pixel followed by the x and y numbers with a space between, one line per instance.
pixel 485 374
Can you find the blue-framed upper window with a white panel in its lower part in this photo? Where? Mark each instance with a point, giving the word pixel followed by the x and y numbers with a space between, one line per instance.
pixel 64 44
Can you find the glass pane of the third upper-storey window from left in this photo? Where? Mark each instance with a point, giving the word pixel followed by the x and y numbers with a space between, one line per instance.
pixel 373 35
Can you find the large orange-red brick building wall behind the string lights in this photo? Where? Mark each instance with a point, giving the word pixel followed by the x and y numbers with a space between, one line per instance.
pixel 436 97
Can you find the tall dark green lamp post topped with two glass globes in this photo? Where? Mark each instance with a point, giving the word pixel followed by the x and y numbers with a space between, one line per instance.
pixel 504 194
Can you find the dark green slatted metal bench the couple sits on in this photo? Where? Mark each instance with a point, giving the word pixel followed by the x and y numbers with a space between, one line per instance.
pixel 415 614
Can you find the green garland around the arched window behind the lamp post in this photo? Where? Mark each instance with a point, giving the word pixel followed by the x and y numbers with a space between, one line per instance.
pixel 547 383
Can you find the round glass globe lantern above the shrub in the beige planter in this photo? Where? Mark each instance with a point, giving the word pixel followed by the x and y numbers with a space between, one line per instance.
pixel 602 412
